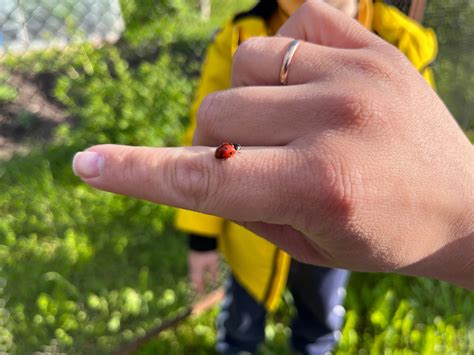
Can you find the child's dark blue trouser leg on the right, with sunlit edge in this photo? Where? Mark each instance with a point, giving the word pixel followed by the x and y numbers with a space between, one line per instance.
pixel 318 295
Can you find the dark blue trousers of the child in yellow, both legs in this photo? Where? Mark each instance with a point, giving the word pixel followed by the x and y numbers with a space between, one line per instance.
pixel 318 295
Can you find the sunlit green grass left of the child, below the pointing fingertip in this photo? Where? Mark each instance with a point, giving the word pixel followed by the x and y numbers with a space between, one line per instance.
pixel 86 268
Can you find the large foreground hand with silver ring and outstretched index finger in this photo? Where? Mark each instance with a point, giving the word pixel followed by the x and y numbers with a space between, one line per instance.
pixel 355 164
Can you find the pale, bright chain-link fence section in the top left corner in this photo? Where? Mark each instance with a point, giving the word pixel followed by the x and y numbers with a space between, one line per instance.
pixel 38 25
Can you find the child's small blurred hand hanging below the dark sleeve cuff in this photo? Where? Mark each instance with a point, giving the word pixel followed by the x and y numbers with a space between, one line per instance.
pixel 203 268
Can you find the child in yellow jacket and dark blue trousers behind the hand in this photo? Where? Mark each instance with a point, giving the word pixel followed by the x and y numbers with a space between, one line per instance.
pixel 260 271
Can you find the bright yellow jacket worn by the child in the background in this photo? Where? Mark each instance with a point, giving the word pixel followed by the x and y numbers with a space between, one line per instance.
pixel 257 264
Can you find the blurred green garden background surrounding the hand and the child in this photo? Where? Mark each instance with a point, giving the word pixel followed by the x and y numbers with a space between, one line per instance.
pixel 83 271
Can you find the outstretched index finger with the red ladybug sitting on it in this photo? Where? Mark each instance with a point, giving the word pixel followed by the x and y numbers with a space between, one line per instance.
pixel 245 187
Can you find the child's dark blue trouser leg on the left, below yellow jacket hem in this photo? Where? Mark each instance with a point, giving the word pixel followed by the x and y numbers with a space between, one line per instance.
pixel 241 321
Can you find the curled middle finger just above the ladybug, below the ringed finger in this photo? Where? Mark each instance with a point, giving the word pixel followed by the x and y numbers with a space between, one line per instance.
pixel 267 111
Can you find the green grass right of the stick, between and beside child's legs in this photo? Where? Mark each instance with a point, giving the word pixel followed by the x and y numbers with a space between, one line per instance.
pixel 383 313
